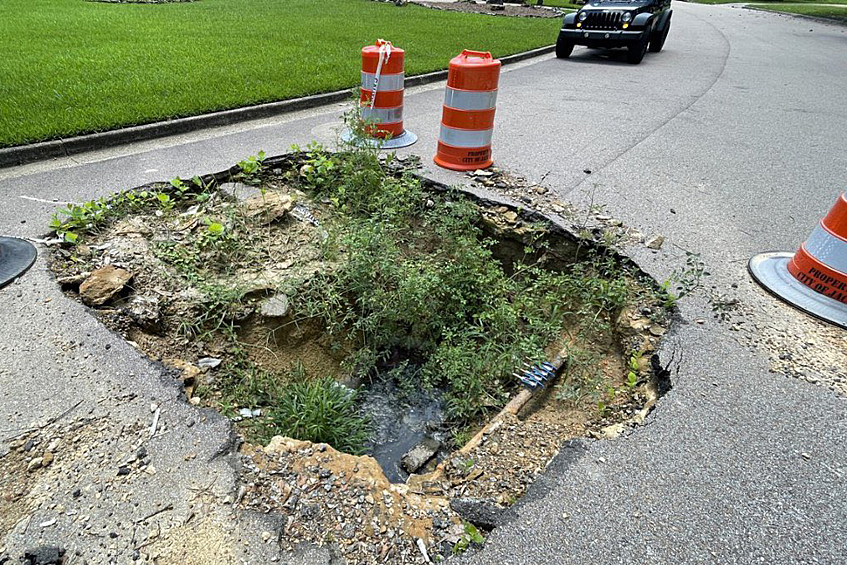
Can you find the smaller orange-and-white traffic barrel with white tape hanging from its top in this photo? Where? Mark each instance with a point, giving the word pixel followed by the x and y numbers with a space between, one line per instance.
pixel 381 94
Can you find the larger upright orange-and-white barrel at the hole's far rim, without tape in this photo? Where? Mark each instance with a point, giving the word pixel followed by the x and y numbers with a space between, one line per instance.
pixel 467 119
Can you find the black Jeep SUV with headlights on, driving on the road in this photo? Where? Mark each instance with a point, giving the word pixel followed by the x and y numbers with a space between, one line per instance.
pixel 635 24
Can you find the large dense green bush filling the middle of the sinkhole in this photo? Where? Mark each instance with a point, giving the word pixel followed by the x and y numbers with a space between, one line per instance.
pixel 418 276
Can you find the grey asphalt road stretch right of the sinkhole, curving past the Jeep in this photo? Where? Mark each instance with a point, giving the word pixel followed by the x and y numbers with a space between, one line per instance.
pixel 728 143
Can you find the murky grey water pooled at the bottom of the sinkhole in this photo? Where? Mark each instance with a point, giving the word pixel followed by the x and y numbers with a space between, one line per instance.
pixel 400 422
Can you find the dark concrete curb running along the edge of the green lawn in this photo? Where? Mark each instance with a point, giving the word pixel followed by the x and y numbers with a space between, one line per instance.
pixel 22 154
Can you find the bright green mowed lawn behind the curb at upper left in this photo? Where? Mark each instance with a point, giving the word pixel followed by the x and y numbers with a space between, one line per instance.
pixel 71 67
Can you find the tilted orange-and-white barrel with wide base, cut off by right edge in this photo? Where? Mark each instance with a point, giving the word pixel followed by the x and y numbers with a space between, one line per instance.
pixel 815 278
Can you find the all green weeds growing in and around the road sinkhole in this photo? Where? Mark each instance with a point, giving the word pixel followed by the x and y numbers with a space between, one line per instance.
pixel 413 274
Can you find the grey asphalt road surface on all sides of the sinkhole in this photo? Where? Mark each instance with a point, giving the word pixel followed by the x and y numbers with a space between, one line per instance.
pixel 729 142
